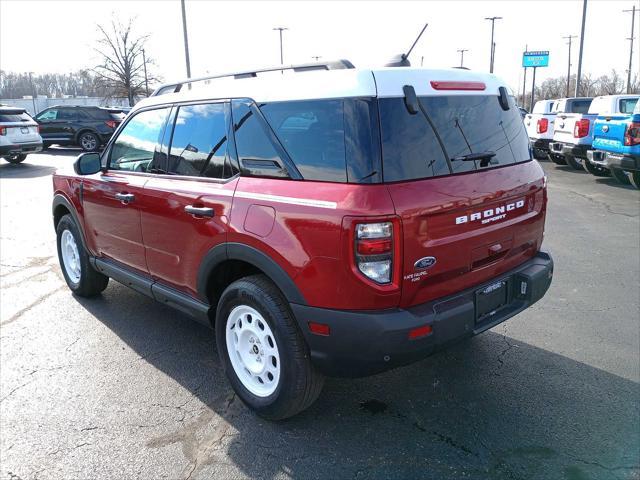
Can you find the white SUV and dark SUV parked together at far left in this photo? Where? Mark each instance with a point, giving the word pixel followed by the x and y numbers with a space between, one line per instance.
pixel 88 127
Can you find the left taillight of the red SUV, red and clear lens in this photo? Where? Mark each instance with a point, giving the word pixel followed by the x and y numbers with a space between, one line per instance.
pixel 374 251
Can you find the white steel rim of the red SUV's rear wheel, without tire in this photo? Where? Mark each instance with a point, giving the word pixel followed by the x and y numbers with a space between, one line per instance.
pixel 253 351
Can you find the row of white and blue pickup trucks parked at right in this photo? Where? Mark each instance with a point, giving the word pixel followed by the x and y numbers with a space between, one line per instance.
pixel 600 135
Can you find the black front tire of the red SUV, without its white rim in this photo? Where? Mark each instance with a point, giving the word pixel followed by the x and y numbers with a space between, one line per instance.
pixel 91 281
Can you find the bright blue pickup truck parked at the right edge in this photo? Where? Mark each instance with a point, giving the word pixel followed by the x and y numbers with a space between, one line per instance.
pixel 616 145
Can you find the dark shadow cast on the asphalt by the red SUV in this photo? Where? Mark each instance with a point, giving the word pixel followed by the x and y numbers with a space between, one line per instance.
pixel 489 407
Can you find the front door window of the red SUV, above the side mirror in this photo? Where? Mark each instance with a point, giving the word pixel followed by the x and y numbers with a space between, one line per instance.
pixel 135 146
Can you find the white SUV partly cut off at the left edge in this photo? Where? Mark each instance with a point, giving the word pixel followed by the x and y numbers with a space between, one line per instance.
pixel 19 134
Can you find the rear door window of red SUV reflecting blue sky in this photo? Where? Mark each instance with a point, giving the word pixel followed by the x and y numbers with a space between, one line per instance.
pixel 199 142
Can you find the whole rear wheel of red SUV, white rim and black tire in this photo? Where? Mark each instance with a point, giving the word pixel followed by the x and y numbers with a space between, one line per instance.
pixel 263 351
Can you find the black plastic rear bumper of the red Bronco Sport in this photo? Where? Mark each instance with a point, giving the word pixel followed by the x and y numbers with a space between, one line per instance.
pixel 366 342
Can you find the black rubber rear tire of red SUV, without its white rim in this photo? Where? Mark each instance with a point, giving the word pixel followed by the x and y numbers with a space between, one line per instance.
pixel 299 382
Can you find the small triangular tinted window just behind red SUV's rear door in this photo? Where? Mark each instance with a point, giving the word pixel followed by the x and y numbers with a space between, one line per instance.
pixel 254 146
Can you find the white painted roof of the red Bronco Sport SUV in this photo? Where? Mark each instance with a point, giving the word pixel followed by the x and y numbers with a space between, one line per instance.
pixel 326 84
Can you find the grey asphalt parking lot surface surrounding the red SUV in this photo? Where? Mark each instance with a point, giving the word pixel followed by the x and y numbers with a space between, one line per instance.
pixel 122 387
